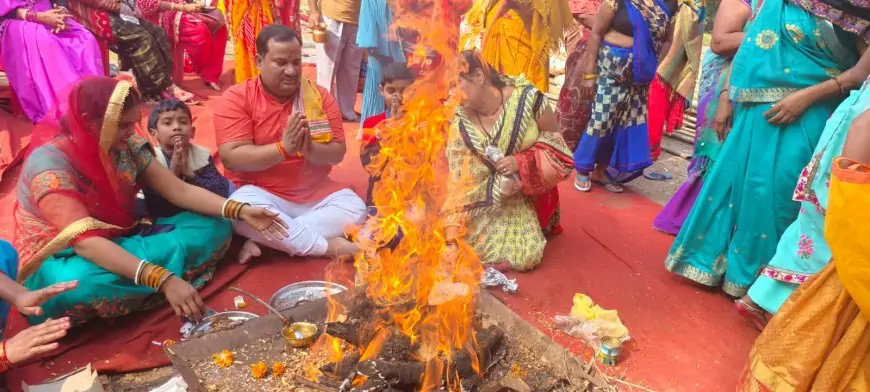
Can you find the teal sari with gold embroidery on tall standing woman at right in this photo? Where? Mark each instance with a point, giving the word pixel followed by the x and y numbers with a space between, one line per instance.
pixel 745 204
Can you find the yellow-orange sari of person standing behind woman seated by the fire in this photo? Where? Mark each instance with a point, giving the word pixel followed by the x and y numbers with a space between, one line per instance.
pixel 519 35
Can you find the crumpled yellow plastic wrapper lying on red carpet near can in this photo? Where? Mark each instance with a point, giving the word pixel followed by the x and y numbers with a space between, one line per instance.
pixel 592 323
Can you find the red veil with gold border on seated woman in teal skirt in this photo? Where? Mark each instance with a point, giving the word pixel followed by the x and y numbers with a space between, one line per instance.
pixel 71 159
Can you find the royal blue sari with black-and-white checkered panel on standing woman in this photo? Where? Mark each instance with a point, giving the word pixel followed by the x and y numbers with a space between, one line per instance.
pixel 617 131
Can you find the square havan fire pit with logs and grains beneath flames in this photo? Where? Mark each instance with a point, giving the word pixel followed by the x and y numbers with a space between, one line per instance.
pixel 513 356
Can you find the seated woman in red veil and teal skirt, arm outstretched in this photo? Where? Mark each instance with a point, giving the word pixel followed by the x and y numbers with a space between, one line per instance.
pixel 75 219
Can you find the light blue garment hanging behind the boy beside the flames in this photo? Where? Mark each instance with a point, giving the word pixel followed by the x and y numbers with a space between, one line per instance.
pixel 375 18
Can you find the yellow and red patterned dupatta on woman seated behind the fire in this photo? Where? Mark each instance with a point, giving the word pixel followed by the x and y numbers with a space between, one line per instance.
pixel 543 157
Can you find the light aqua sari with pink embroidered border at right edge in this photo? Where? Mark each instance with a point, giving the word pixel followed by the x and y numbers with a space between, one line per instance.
pixel 803 251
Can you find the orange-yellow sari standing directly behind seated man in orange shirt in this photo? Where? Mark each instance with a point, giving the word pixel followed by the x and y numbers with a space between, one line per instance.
pixel 245 19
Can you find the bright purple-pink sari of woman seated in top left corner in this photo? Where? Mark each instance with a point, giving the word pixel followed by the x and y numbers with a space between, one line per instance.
pixel 43 52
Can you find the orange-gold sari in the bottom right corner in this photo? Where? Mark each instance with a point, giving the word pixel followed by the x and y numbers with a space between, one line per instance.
pixel 819 340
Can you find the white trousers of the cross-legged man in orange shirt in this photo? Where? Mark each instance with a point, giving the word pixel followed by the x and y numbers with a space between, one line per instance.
pixel 310 224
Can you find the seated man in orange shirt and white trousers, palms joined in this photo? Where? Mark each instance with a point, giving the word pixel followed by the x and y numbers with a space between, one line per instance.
pixel 278 136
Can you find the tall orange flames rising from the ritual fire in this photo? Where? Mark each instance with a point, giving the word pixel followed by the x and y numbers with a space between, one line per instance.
pixel 409 197
